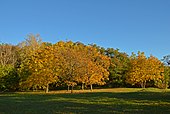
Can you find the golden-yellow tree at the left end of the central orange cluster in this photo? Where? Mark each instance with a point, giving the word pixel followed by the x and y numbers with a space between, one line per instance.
pixel 44 67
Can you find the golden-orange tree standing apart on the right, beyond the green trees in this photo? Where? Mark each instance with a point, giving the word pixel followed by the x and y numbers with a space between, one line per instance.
pixel 144 69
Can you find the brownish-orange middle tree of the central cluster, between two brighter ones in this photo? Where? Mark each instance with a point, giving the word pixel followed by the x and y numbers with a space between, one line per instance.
pixel 71 62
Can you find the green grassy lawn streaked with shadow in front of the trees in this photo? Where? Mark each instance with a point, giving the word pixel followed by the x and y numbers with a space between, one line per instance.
pixel 118 100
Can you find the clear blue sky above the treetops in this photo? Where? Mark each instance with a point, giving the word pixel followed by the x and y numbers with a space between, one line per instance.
pixel 129 25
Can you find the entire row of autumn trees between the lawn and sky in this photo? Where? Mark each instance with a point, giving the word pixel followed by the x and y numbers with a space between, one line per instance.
pixel 34 64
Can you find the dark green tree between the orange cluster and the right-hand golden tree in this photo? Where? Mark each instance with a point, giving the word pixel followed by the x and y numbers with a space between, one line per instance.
pixel 118 67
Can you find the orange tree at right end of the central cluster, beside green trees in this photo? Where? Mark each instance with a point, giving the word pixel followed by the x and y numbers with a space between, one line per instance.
pixel 95 69
